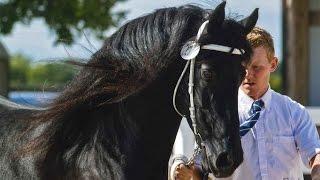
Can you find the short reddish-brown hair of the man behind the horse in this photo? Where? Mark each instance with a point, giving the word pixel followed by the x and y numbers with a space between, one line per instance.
pixel 260 37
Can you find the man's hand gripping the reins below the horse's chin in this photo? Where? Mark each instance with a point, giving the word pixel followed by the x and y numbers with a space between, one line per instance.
pixel 184 172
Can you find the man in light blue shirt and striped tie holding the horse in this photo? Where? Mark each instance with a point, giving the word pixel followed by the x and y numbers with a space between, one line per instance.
pixel 282 132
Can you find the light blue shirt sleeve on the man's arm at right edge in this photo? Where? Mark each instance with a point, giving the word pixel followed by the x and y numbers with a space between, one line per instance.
pixel 306 134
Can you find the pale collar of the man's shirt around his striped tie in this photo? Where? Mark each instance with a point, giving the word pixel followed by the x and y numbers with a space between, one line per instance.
pixel 244 99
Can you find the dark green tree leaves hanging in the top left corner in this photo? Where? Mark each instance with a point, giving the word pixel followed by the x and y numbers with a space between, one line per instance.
pixel 67 18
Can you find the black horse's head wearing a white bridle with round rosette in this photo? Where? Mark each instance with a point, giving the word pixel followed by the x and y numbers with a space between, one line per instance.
pixel 221 51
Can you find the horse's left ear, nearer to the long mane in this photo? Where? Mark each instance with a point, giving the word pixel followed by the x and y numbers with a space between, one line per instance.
pixel 217 17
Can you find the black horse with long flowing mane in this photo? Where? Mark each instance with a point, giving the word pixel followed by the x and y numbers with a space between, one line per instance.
pixel 116 120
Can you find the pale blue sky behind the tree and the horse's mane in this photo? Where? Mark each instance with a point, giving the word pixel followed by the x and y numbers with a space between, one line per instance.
pixel 36 40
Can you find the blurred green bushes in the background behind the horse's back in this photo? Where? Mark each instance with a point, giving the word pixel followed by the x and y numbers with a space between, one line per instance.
pixel 27 75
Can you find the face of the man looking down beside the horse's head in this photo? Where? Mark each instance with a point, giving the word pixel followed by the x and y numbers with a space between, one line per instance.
pixel 256 81
